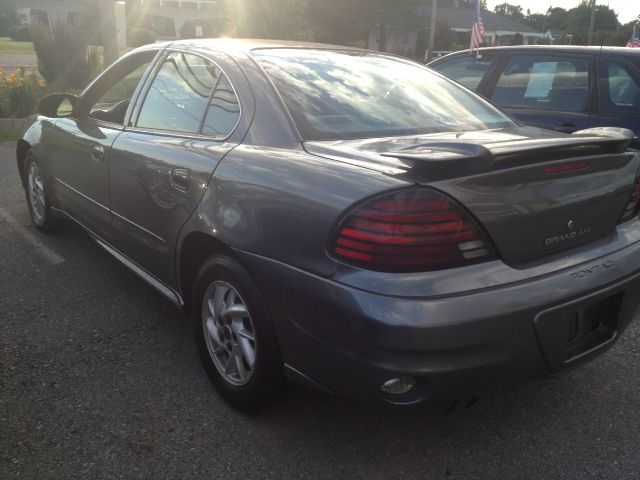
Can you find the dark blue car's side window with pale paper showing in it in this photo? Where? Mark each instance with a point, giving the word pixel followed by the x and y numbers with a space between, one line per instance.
pixel 543 82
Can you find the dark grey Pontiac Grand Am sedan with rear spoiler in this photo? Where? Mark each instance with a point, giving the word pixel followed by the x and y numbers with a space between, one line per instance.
pixel 346 219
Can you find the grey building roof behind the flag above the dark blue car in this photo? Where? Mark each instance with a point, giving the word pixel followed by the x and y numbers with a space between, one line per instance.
pixel 462 19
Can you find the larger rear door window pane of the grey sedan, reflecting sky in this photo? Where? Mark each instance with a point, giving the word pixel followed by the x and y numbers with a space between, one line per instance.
pixel 179 94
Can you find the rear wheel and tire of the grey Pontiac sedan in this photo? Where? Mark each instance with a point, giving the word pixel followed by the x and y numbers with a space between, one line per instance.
pixel 235 336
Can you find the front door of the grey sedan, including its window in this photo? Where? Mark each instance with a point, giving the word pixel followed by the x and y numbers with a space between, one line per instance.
pixel 79 144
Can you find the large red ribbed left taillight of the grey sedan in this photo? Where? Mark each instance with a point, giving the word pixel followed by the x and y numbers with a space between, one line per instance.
pixel 410 230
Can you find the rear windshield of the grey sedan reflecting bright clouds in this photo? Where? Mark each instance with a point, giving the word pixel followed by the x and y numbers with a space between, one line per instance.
pixel 345 95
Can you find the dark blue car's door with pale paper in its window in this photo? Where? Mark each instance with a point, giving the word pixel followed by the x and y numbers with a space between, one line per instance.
pixel 554 91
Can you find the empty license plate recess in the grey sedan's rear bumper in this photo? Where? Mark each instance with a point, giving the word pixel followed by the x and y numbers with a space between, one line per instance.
pixel 576 332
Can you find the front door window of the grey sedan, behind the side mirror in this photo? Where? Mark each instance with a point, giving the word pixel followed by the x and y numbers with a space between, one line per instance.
pixel 112 105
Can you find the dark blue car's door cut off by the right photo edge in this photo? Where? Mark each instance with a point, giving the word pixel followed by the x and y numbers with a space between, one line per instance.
pixel 619 95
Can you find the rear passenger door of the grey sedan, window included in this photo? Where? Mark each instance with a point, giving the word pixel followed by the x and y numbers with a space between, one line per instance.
pixel 161 165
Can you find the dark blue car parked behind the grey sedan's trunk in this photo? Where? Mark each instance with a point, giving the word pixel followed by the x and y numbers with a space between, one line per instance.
pixel 564 88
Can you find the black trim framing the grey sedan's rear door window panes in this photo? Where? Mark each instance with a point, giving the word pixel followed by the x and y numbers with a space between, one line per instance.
pixel 132 127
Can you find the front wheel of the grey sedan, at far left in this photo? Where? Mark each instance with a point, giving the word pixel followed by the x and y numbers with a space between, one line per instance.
pixel 37 196
